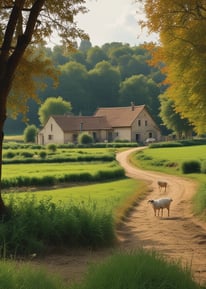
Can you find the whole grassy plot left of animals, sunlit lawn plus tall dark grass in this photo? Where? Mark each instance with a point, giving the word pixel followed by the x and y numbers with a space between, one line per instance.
pixel 76 216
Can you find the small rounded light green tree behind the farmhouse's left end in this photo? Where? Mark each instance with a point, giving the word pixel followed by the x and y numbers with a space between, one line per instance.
pixel 53 106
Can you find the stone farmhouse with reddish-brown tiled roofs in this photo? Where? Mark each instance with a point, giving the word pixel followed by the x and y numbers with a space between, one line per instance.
pixel 132 123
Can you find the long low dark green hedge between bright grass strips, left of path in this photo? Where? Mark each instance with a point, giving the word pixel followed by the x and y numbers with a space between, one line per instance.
pixel 103 175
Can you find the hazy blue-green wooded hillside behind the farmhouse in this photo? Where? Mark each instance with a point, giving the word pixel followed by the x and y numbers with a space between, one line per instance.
pixel 115 74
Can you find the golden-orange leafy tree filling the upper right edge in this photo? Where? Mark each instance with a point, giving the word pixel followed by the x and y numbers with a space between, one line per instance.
pixel 182 30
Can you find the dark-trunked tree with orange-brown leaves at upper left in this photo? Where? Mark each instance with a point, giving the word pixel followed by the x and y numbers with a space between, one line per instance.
pixel 24 24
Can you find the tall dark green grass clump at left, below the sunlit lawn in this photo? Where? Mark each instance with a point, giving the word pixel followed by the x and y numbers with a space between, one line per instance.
pixel 53 225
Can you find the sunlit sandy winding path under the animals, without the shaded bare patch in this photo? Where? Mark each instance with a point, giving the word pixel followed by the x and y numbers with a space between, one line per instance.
pixel 180 236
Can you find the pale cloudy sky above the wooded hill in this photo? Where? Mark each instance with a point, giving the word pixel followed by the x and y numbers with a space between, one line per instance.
pixel 113 21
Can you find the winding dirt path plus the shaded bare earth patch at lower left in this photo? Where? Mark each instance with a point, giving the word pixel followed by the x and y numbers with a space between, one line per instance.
pixel 181 236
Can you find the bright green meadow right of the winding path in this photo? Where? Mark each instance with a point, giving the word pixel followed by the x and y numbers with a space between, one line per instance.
pixel 170 160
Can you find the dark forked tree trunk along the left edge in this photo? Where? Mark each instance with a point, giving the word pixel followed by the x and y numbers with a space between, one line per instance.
pixel 9 60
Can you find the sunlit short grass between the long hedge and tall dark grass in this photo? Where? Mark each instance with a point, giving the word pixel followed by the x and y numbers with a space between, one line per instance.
pixel 114 197
